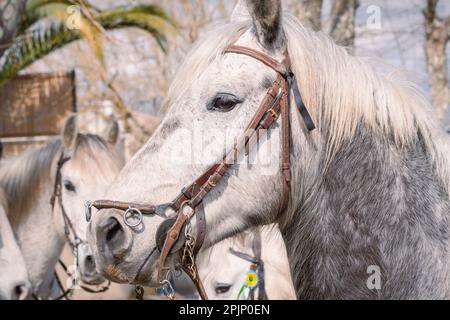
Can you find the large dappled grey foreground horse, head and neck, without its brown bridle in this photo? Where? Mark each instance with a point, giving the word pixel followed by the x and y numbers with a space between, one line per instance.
pixel 368 188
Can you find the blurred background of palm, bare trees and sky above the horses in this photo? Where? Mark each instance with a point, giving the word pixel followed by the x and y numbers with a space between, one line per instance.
pixel 125 52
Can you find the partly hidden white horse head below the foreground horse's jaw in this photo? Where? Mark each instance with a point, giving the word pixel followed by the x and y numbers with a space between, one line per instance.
pixel 224 274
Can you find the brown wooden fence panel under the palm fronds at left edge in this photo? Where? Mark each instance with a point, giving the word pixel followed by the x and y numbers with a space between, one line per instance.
pixel 33 108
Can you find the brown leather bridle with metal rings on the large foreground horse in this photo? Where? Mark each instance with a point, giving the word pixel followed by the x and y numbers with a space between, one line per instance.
pixel 170 235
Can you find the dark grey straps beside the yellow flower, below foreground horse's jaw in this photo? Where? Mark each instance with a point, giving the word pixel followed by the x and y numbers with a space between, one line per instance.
pixel 257 264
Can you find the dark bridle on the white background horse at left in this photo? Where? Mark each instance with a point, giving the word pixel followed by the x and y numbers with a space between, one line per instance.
pixel 68 230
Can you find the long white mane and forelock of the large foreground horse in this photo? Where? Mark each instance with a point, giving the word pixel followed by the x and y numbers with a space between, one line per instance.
pixel 339 89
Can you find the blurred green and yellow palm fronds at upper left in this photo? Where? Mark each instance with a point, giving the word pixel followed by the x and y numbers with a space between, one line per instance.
pixel 51 24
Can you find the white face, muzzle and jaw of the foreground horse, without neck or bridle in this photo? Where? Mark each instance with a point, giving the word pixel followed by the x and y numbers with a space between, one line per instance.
pixel 219 103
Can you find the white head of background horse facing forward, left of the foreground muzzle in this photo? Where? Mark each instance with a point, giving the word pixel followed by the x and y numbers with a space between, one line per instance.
pixel 86 174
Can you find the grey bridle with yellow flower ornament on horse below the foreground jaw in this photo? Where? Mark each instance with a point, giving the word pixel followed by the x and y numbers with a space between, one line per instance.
pixel 255 278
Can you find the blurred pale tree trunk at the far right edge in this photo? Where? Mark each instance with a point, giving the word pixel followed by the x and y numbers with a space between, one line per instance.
pixel 437 35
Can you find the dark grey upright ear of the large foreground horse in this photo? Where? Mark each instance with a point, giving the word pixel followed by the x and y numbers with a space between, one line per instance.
pixel 266 15
